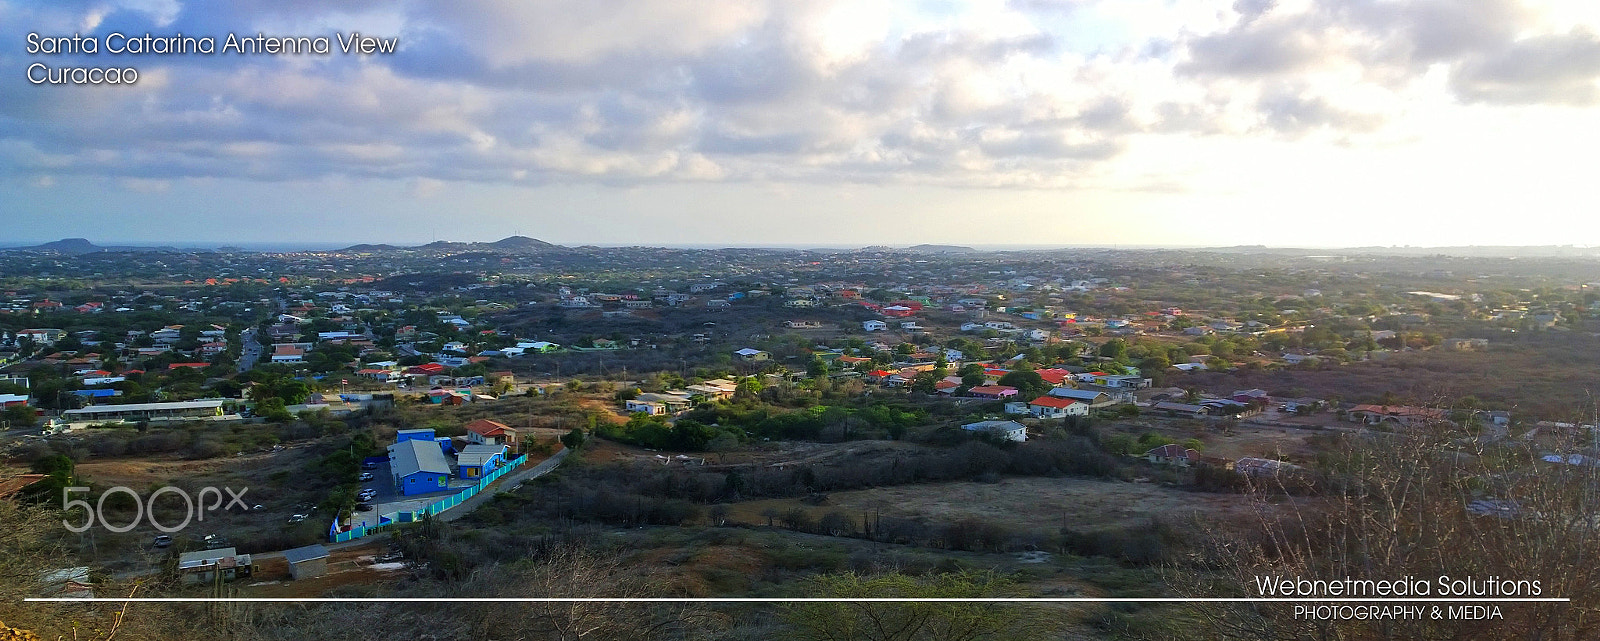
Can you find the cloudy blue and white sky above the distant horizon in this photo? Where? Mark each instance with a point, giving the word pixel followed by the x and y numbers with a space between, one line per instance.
pixel 820 122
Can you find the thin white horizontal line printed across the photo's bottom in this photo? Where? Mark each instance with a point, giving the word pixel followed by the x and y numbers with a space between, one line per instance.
pixel 782 600
